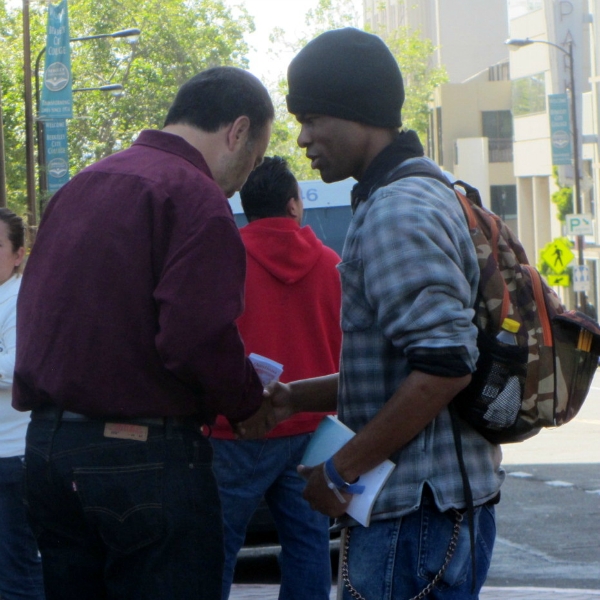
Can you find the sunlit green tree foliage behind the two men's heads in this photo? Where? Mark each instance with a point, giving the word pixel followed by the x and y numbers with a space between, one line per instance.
pixel 179 38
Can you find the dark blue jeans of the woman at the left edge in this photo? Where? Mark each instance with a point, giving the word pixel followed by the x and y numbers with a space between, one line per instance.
pixel 20 564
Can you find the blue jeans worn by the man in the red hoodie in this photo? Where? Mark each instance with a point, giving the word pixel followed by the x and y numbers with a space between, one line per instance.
pixel 248 470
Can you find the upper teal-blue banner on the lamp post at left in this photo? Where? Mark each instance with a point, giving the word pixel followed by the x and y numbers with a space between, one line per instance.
pixel 57 97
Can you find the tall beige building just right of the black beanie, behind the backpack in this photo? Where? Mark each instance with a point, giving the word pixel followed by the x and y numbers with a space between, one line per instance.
pixel 471 132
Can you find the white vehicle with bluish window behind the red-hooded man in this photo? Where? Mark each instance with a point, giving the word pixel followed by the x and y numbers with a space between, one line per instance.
pixel 326 210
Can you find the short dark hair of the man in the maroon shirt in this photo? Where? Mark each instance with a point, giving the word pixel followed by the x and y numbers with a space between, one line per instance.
pixel 218 96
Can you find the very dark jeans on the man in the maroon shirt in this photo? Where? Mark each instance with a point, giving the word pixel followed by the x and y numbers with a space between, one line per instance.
pixel 124 519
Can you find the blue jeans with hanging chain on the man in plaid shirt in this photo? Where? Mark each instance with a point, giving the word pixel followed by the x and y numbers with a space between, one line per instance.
pixel 397 558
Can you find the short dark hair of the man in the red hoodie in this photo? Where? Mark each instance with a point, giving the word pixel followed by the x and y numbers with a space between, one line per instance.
pixel 268 189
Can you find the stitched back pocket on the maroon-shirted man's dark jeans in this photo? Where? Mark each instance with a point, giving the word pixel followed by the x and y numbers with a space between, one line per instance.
pixel 124 504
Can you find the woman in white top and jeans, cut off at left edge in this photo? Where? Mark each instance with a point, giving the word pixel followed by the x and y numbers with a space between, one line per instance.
pixel 20 565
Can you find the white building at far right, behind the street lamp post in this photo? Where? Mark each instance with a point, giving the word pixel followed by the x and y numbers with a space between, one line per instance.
pixel 537 71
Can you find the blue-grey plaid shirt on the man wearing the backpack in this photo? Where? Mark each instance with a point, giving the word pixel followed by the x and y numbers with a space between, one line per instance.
pixel 409 279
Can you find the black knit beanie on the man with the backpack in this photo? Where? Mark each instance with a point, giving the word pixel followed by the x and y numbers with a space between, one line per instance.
pixel 349 74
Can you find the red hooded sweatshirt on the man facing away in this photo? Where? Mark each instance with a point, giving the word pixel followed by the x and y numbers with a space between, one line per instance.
pixel 292 308
